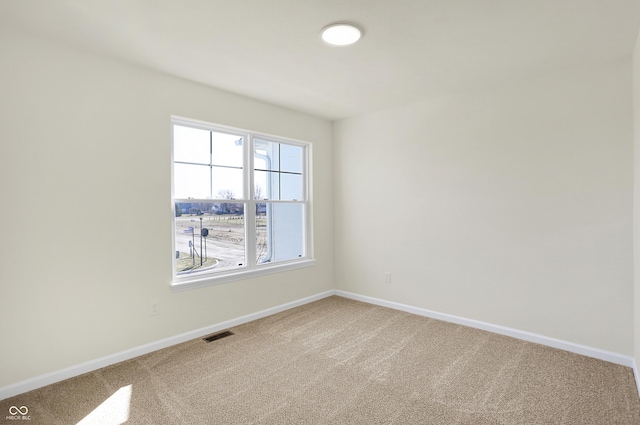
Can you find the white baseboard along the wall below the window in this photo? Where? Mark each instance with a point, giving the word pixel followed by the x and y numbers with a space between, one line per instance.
pixel 92 365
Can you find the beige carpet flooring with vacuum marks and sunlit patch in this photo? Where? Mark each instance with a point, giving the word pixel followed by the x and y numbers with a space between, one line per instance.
pixel 338 361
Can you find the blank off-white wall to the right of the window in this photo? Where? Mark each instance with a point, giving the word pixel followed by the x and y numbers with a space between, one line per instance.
pixel 511 206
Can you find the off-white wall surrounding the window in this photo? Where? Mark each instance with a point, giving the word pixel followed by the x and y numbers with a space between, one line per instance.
pixel 85 234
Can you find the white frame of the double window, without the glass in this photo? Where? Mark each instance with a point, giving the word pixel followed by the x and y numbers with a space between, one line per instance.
pixel 250 269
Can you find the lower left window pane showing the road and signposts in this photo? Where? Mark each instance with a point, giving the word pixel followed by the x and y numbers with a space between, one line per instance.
pixel 209 236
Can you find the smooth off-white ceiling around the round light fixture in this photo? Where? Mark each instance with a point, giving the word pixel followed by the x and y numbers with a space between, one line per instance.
pixel 271 49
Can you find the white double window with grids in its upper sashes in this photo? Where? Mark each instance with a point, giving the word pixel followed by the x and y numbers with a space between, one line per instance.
pixel 240 203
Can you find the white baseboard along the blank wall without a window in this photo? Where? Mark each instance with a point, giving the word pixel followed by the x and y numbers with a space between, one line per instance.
pixel 501 330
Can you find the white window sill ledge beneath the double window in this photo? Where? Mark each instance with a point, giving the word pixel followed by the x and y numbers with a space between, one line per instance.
pixel 203 280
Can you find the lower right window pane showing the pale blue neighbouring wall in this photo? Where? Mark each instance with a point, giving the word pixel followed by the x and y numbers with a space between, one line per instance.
pixel 279 232
